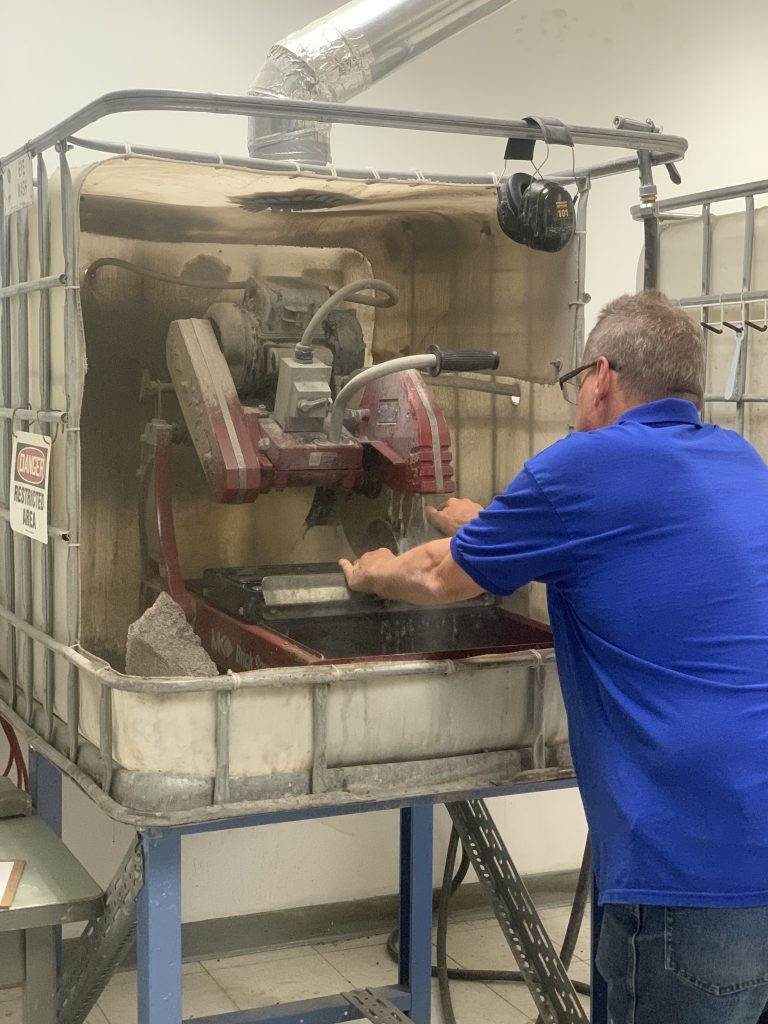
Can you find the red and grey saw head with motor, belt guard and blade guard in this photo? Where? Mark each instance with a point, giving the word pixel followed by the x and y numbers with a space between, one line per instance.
pixel 257 413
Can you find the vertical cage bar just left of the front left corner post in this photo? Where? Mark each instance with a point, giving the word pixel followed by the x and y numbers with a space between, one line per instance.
pixel 45 378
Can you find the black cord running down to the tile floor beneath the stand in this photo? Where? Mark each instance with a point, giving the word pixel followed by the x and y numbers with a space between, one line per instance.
pixel 451 883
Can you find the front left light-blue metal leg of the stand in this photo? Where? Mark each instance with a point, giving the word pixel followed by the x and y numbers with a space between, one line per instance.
pixel 159 930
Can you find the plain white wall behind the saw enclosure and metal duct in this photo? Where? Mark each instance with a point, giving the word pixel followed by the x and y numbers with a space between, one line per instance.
pixel 697 68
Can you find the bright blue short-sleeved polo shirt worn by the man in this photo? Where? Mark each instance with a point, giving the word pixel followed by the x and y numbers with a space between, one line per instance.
pixel 652 536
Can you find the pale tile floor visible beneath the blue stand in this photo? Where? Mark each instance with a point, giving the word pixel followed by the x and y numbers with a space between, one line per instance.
pixel 216 987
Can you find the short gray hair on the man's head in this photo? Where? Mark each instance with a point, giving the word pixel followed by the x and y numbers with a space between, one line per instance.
pixel 658 350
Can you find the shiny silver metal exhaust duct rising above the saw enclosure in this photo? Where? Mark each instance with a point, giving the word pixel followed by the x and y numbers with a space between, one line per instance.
pixel 342 55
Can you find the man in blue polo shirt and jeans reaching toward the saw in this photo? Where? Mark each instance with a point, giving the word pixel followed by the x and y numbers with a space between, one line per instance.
pixel 651 531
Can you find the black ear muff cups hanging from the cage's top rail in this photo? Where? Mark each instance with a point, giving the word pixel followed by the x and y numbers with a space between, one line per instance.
pixel 536 214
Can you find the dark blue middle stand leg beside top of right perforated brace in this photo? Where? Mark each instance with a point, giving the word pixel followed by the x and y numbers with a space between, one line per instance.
pixel 416 909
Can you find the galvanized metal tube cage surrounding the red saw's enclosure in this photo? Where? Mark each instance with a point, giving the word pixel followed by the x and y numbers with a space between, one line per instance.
pixel 29 616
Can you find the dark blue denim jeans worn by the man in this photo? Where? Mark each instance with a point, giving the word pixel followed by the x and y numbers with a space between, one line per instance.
pixel 685 965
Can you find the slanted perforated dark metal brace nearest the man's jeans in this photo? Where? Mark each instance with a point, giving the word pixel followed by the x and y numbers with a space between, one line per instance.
pixel 537 958
